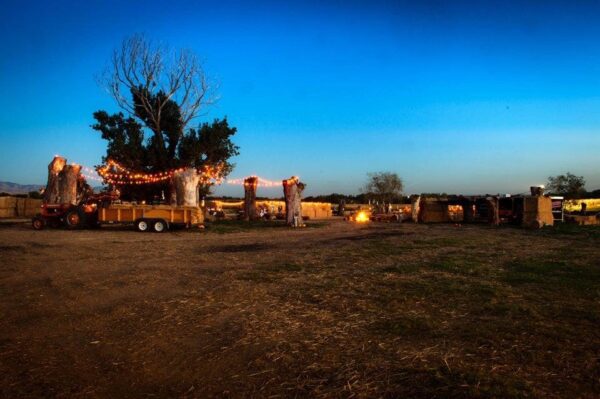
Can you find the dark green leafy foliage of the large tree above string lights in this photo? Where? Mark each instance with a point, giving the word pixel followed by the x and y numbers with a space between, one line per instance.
pixel 166 148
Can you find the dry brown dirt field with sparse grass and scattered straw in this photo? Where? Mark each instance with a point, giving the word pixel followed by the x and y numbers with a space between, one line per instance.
pixel 332 310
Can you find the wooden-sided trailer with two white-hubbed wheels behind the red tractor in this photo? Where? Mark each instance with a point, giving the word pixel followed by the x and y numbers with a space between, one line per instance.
pixel 156 218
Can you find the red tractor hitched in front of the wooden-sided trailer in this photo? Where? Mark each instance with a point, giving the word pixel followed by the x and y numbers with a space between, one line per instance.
pixel 84 214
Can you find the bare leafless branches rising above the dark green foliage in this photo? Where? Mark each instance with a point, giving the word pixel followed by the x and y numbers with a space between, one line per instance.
pixel 141 74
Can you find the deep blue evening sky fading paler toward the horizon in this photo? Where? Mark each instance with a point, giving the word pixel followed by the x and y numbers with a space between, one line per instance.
pixel 471 97
